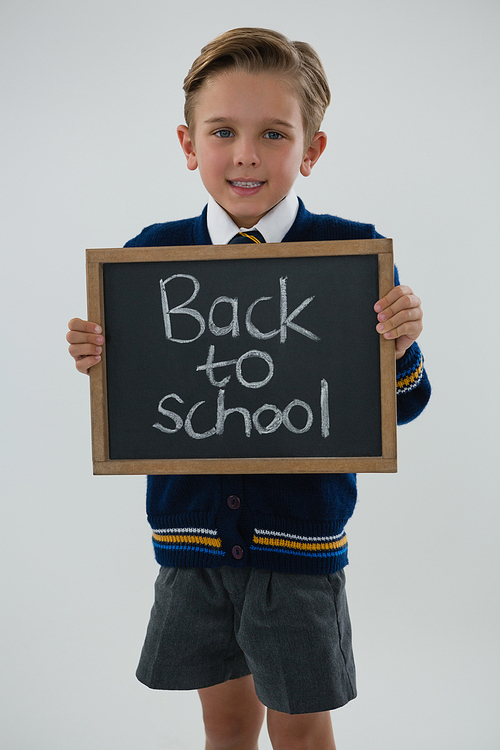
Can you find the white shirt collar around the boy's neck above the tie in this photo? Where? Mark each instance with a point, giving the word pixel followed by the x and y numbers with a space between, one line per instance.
pixel 273 226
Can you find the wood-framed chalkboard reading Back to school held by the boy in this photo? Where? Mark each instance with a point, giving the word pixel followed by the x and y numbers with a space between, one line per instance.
pixel 241 359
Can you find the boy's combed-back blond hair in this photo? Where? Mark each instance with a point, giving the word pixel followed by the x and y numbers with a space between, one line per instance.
pixel 254 50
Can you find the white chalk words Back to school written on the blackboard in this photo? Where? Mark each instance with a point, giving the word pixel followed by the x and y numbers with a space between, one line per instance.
pixel 297 416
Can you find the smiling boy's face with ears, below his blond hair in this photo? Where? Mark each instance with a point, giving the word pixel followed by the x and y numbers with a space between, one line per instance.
pixel 247 140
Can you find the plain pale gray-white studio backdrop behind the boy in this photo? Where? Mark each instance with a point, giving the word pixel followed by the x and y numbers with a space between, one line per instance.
pixel 91 95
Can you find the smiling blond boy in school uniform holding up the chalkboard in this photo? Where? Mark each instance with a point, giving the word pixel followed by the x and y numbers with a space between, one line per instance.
pixel 267 616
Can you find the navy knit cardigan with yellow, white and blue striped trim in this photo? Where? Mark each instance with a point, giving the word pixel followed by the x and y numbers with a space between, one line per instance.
pixel 286 522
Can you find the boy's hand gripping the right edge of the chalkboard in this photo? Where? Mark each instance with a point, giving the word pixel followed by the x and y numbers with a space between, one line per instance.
pixel 400 317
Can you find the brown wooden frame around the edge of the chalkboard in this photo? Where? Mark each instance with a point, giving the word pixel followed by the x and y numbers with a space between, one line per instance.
pixel 102 464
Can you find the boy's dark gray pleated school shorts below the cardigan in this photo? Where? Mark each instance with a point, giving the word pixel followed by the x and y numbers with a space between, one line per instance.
pixel 291 632
